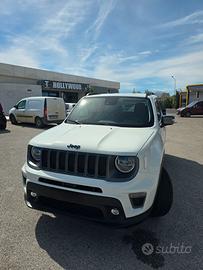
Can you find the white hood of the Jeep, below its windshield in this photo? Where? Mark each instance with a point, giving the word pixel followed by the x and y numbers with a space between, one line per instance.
pixel 94 138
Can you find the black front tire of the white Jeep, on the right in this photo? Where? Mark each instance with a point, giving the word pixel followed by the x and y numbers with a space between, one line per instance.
pixel 164 196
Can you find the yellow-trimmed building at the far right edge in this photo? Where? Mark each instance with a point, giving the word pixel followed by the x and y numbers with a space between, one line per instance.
pixel 192 93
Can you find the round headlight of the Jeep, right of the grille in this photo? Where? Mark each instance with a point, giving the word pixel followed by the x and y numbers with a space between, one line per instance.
pixel 125 164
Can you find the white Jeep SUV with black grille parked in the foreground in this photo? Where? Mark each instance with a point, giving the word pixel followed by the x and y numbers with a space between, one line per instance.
pixel 105 161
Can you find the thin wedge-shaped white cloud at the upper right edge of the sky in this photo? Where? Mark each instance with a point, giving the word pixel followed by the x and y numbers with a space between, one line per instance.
pixel 194 18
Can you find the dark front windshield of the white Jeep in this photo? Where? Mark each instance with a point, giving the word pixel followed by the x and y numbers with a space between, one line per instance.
pixel 113 111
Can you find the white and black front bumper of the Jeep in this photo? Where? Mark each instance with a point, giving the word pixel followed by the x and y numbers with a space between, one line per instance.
pixel 72 198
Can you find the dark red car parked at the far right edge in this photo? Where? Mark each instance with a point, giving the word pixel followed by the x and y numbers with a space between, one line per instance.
pixel 194 108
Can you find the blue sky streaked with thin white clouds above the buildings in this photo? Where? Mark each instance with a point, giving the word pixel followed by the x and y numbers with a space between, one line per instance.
pixel 138 43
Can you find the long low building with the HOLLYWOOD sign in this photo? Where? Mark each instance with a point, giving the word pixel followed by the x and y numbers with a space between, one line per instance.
pixel 17 82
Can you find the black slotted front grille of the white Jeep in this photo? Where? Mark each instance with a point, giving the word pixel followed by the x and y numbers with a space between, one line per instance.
pixel 77 163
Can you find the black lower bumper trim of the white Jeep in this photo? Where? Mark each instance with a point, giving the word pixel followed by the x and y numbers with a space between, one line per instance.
pixel 93 207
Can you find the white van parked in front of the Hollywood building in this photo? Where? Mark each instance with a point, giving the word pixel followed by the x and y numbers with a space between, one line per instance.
pixel 38 110
